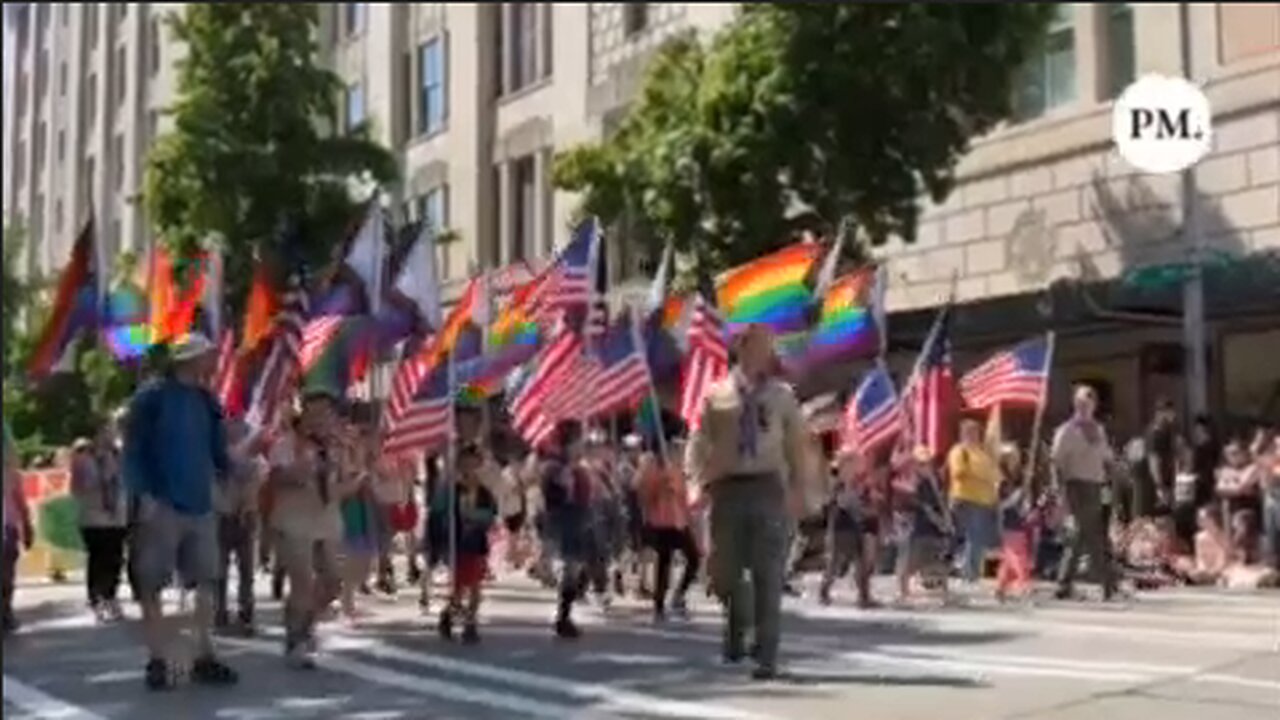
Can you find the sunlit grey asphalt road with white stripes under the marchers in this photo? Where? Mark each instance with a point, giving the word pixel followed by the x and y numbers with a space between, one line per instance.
pixel 1167 655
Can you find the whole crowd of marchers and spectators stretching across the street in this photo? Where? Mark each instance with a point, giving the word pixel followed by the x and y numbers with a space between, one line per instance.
pixel 175 493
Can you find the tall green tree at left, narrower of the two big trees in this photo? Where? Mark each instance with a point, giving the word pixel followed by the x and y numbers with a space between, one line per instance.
pixel 252 145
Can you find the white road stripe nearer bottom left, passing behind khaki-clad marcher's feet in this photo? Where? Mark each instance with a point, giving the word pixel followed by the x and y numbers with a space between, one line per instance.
pixel 519 707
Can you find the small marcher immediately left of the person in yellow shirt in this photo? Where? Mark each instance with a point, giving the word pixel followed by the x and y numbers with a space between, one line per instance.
pixel 924 548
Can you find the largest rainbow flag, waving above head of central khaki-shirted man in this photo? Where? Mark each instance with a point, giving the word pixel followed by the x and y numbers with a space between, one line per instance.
pixel 772 290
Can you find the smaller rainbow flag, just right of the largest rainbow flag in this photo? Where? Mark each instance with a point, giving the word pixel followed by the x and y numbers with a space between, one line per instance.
pixel 847 325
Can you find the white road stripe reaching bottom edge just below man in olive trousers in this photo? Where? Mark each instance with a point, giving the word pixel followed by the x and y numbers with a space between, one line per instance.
pixel 611 699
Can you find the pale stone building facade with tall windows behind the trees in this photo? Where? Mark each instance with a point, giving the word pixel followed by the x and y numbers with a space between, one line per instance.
pixel 1043 229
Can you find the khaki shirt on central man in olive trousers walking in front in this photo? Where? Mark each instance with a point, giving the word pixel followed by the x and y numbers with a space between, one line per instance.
pixel 714 450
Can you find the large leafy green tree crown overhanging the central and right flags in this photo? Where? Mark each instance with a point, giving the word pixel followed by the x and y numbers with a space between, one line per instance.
pixel 849 111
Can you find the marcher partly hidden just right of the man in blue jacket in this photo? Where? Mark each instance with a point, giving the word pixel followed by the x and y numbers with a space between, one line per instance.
pixel 239 526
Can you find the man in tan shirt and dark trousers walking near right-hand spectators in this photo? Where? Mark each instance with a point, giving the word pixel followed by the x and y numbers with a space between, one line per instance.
pixel 1081 457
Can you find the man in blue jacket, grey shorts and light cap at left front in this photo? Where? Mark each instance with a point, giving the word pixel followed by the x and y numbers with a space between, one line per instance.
pixel 175 452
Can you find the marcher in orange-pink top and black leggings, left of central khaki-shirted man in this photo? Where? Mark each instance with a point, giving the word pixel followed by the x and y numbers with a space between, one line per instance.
pixel 665 503
